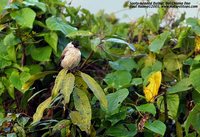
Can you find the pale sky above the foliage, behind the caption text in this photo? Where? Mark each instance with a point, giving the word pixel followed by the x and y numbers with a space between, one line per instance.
pixel 116 6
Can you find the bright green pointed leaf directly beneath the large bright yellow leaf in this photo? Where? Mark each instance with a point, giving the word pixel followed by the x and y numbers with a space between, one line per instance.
pixel 147 108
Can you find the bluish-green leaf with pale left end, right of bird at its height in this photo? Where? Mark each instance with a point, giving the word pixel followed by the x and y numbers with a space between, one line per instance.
pixel 123 64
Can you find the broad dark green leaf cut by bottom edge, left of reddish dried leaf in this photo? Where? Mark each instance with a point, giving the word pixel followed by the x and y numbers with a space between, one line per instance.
pixel 122 130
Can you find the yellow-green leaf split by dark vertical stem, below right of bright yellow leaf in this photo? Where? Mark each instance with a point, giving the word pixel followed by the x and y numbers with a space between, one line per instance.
pixel 172 105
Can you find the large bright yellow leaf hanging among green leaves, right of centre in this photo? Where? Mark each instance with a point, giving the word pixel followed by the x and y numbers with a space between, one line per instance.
pixel 151 90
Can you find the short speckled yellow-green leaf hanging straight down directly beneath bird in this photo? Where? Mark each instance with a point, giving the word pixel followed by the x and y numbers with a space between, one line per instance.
pixel 67 86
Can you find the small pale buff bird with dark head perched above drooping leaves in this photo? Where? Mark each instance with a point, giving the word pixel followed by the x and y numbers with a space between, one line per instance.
pixel 71 57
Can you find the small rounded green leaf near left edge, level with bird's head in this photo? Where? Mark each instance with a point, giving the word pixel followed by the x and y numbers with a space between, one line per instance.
pixel 11 40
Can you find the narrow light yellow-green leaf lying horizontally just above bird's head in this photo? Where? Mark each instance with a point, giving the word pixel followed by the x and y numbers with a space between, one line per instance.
pixel 81 33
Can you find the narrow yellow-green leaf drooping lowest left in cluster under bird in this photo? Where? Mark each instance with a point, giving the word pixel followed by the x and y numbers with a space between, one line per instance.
pixel 40 110
